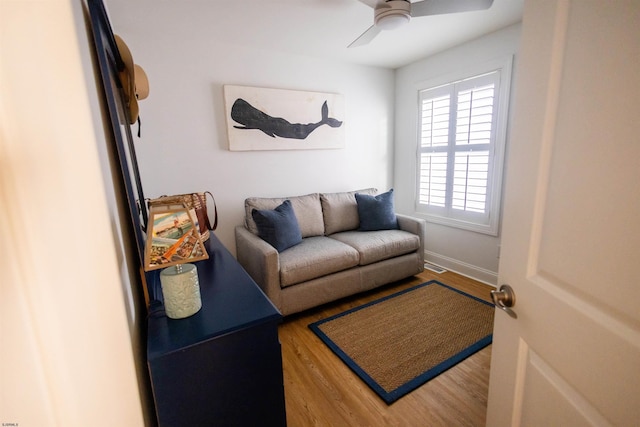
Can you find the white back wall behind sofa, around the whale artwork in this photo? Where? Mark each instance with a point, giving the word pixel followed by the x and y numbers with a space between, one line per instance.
pixel 184 145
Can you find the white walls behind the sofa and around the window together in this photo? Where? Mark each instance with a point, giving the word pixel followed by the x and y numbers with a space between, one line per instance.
pixel 188 52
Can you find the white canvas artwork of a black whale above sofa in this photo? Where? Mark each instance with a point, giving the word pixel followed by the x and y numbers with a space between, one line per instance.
pixel 282 119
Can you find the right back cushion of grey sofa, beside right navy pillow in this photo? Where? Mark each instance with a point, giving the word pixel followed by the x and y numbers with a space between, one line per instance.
pixel 340 210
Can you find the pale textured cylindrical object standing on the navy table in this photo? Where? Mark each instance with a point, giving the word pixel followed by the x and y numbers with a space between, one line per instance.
pixel 181 291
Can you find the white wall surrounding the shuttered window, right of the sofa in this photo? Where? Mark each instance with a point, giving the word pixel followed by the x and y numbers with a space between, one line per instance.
pixel 473 254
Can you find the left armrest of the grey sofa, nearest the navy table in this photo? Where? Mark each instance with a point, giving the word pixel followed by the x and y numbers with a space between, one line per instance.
pixel 261 261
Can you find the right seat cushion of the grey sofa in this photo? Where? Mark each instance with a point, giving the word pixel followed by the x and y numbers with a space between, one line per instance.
pixel 374 246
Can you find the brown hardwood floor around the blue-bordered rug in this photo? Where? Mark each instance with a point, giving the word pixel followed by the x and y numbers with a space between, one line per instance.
pixel 320 390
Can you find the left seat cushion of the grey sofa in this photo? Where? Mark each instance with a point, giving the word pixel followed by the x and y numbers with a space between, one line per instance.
pixel 315 257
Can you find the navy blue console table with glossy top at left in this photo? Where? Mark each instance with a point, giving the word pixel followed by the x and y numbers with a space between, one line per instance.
pixel 223 365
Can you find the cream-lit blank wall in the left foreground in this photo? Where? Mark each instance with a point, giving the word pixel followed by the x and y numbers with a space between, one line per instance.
pixel 68 325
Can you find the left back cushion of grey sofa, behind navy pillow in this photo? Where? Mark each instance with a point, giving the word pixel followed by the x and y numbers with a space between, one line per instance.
pixel 307 209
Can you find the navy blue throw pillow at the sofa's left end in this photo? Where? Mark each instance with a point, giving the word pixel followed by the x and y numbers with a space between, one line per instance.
pixel 278 227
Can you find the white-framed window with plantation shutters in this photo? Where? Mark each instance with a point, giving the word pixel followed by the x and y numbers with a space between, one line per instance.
pixel 462 131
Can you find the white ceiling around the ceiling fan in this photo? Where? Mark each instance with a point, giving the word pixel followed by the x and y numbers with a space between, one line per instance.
pixel 324 28
